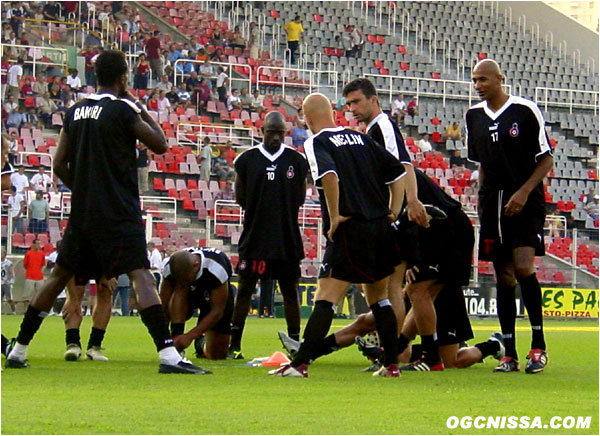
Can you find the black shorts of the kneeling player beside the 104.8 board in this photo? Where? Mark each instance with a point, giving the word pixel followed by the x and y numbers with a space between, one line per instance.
pixel 453 325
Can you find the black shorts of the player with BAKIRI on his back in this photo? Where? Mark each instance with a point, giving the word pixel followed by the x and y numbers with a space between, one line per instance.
pixel 96 257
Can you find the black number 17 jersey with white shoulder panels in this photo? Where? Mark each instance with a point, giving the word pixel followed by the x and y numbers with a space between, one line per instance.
pixel 506 143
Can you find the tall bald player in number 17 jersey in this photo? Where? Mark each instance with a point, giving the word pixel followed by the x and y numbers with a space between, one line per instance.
pixel 506 136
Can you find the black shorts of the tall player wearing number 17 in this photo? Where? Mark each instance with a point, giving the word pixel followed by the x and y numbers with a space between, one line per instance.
pixel 500 235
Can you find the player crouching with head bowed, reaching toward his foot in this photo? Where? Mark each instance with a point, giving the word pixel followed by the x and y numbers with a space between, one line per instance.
pixel 198 278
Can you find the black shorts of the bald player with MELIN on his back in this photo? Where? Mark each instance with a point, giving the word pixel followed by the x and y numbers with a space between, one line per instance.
pixel 362 252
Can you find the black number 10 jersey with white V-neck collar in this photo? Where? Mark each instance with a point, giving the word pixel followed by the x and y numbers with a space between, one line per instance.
pixel 275 186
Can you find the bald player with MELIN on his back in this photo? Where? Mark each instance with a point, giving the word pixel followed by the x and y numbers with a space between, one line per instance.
pixel 355 177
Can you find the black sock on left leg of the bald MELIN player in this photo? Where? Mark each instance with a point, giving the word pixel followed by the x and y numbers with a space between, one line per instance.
pixel 317 327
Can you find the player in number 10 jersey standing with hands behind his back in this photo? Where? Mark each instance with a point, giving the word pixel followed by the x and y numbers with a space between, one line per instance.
pixel 270 185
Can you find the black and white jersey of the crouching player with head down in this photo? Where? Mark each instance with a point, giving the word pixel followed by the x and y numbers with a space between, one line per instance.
pixel 215 270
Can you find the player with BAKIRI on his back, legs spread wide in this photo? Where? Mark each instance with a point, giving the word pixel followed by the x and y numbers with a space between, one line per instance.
pixel 96 159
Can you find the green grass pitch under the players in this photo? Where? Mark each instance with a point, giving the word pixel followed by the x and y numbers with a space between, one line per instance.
pixel 128 396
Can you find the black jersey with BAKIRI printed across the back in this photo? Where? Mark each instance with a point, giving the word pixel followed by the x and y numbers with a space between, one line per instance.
pixel 102 165
